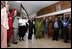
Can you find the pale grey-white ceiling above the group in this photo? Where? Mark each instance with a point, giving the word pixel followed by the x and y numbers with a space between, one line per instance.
pixel 31 6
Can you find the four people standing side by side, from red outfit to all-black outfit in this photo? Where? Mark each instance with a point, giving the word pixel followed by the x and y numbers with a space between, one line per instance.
pixel 18 26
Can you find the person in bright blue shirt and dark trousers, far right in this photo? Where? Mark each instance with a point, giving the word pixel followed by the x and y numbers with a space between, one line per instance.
pixel 65 29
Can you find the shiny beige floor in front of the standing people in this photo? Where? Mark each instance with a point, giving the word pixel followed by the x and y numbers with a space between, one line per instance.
pixel 40 43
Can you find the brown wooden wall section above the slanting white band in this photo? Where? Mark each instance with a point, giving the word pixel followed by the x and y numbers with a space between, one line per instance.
pixel 52 8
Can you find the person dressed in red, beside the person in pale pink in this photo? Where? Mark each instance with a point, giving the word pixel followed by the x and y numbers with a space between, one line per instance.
pixel 10 23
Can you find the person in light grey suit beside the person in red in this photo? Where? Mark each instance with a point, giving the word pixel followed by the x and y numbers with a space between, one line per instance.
pixel 15 29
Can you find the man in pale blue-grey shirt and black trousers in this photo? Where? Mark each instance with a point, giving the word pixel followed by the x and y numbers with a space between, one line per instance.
pixel 55 26
